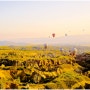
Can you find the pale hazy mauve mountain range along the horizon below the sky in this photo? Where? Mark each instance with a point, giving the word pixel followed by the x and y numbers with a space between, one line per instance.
pixel 67 40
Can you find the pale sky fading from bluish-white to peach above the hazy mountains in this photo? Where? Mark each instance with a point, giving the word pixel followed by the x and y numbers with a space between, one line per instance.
pixel 36 19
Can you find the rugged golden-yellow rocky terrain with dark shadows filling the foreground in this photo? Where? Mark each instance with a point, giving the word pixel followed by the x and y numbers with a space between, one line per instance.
pixel 43 69
